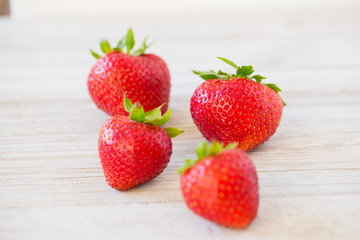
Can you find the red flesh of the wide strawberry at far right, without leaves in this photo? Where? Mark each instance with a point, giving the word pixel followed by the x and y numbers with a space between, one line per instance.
pixel 237 110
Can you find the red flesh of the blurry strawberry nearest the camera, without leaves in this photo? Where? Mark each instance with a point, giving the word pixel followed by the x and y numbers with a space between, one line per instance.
pixel 223 189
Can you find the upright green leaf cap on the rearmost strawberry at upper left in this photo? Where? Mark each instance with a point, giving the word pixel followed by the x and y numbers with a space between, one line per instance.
pixel 128 42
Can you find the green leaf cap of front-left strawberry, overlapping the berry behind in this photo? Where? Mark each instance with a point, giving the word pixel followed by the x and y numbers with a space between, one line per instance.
pixel 152 117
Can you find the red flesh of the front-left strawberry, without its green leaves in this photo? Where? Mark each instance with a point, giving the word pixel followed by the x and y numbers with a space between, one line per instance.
pixel 132 153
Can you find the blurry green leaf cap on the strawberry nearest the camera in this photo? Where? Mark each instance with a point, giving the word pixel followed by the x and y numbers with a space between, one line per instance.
pixel 202 151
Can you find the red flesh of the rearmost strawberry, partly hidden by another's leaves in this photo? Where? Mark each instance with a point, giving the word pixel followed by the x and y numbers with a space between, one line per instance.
pixel 144 78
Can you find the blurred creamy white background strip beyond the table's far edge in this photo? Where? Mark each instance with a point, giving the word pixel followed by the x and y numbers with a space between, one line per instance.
pixel 105 9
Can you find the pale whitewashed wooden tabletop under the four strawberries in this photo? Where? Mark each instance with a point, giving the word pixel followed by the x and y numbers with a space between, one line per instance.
pixel 51 181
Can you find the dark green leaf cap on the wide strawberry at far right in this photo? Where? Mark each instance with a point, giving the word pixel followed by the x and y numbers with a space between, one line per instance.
pixel 241 72
